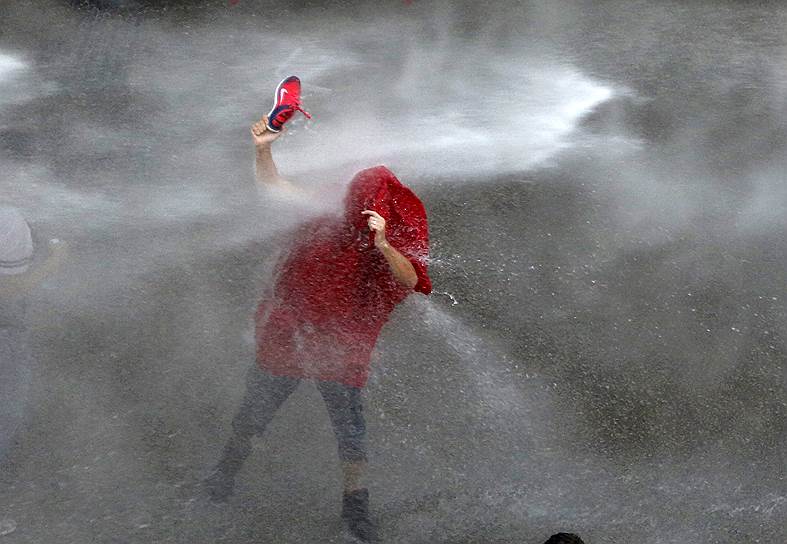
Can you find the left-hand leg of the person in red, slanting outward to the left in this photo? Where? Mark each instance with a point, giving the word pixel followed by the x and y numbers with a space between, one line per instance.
pixel 265 393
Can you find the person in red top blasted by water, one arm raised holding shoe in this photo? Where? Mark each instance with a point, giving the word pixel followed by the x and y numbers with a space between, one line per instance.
pixel 333 292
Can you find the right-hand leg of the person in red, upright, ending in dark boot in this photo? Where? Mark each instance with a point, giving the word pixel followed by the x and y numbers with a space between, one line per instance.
pixel 346 412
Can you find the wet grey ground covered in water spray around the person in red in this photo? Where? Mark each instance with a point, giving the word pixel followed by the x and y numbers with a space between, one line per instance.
pixel 607 196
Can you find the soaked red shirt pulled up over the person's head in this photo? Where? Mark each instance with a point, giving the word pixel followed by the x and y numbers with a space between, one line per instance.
pixel 335 290
